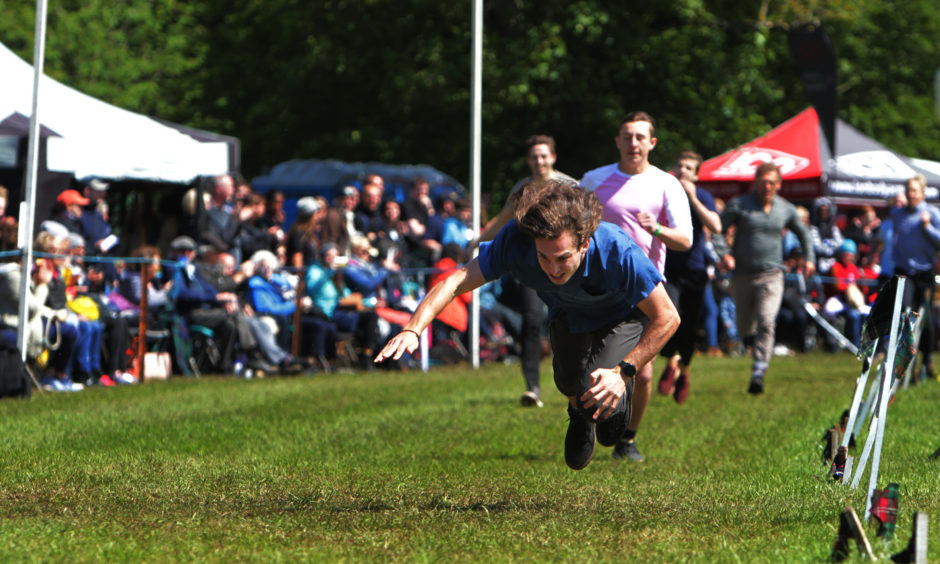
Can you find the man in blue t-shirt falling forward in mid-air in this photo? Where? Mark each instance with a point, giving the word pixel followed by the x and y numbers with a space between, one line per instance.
pixel 608 309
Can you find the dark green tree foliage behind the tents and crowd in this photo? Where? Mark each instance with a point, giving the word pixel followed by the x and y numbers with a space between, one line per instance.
pixel 390 80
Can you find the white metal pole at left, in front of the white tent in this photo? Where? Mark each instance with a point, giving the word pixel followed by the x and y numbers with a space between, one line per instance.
pixel 29 202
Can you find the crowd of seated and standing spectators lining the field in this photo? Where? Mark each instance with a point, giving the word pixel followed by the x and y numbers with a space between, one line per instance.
pixel 344 275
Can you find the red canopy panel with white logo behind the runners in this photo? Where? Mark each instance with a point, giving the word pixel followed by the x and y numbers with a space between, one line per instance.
pixel 795 146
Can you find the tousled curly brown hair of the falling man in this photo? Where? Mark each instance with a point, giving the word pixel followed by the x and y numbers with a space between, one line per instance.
pixel 544 209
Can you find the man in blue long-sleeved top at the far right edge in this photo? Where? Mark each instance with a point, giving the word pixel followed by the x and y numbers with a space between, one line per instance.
pixel 916 241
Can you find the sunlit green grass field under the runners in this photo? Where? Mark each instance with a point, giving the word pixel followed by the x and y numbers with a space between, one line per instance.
pixel 443 467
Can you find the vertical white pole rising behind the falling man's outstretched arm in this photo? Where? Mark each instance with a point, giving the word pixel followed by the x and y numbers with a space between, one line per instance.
pixel 475 141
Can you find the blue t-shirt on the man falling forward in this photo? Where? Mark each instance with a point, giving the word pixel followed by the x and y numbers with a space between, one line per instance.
pixel 614 276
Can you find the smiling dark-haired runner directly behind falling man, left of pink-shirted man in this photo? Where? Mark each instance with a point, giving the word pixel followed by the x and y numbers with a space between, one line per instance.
pixel 540 157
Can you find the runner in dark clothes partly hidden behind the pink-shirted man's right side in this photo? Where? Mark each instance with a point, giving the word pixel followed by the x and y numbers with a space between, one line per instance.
pixel 687 278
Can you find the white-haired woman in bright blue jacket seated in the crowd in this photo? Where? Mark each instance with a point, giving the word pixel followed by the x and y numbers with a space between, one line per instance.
pixel 272 295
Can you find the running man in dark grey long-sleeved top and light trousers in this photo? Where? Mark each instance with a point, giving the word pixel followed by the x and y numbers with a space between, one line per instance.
pixel 757 261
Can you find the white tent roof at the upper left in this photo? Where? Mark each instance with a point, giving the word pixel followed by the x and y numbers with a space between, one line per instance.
pixel 98 139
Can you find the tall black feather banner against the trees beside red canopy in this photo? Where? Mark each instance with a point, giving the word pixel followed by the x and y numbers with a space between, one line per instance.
pixel 816 62
